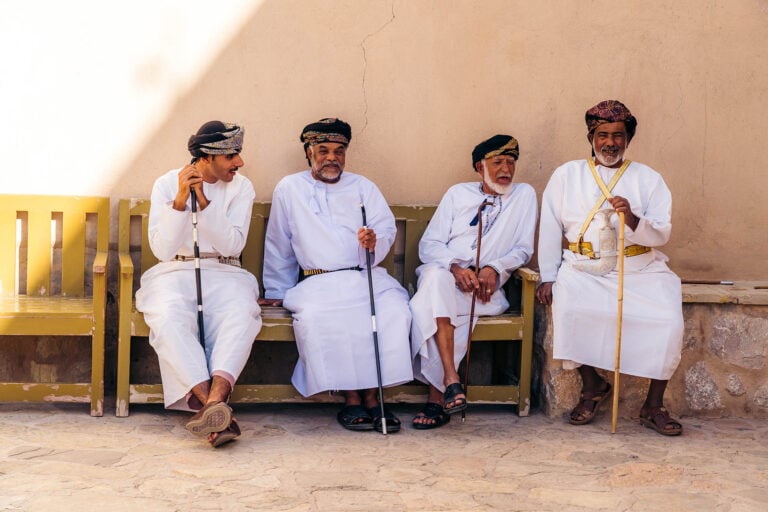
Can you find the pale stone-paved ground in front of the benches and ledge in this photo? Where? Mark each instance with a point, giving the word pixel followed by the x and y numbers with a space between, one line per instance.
pixel 296 458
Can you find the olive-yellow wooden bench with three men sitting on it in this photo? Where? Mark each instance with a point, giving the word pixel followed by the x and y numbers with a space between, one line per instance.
pixel 133 246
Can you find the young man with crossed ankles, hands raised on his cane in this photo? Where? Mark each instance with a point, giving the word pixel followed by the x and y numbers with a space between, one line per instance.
pixel 196 378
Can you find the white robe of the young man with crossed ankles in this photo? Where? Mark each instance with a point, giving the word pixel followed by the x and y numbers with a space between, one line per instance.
pixel 168 296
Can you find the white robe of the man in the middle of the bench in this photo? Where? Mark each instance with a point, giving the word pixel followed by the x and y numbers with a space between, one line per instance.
pixel 313 225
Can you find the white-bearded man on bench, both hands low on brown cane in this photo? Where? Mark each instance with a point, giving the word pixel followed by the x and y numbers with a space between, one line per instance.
pixel 447 278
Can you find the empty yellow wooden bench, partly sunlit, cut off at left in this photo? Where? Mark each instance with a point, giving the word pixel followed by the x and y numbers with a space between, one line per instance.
pixel 53 259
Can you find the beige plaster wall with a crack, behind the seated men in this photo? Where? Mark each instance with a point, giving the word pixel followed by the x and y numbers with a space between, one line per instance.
pixel 99 98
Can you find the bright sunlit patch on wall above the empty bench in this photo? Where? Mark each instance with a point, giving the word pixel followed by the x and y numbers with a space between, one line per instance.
pixel 85 82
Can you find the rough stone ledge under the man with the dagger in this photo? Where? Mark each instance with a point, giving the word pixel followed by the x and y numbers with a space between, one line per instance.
pixel 723 368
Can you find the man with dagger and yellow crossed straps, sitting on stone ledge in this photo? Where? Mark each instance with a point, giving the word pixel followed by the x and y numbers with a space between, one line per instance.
pixel 584 305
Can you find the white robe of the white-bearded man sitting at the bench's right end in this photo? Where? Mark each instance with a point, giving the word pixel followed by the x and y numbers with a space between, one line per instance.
pixel 507 243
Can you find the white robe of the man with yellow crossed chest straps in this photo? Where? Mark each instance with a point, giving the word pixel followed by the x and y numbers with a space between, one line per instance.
pixel 584 306
